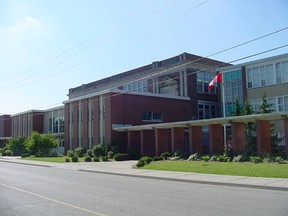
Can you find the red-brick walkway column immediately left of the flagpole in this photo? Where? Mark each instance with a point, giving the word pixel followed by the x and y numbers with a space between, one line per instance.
pixel 216 138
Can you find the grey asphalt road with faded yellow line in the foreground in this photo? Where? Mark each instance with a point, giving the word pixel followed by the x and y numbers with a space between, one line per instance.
pixel 30 190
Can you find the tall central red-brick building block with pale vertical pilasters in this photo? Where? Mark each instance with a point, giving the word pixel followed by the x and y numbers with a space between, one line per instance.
pixel 170 90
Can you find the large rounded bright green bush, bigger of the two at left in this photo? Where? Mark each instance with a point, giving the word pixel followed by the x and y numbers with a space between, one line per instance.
pixel 41 144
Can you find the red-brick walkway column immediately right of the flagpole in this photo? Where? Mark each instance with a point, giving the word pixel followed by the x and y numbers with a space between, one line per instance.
pixel 238 137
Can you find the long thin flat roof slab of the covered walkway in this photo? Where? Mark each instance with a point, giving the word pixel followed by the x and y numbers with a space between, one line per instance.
pixel 226 120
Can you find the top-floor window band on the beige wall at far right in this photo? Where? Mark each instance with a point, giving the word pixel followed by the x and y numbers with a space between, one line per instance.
pixel 267 74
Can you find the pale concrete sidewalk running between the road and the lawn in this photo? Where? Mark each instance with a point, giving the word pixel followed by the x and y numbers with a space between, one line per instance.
pixel 128 168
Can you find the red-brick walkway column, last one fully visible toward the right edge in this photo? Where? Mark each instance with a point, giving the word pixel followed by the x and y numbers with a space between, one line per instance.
pixel 263 136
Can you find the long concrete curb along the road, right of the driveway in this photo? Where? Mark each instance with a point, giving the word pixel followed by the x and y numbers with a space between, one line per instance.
pixel 192 181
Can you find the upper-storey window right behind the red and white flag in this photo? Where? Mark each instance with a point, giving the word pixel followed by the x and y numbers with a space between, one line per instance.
pixel 203 80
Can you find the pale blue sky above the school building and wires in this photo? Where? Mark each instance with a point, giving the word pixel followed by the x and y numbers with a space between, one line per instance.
pixel 50 46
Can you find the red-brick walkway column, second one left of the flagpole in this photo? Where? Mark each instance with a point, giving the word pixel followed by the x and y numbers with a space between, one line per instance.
pixel 195 139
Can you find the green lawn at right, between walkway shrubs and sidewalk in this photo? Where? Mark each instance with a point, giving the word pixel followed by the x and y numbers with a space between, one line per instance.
pixel 238 169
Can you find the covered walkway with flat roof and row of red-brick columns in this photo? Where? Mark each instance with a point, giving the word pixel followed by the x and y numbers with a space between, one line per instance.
pixel 153 139
